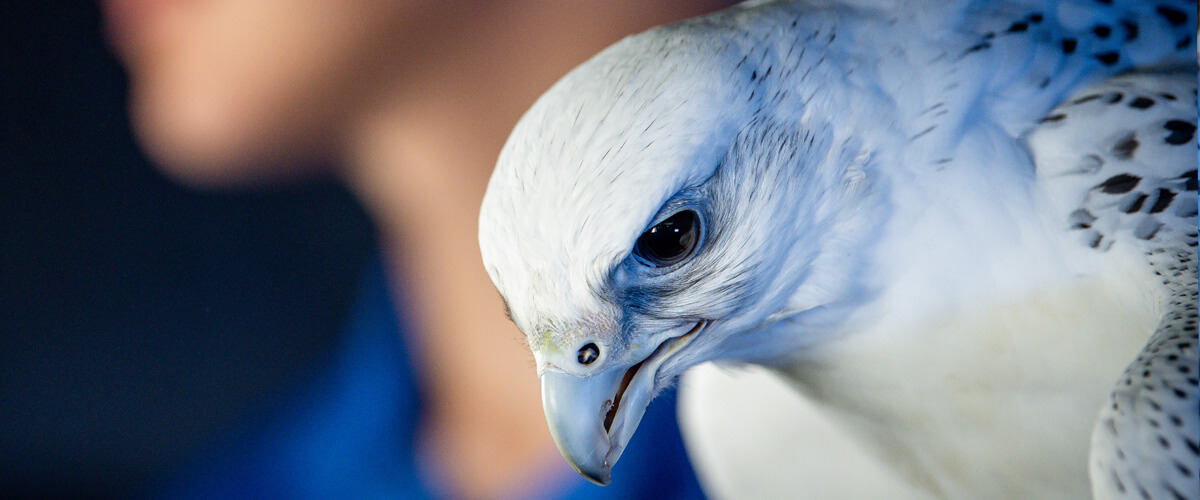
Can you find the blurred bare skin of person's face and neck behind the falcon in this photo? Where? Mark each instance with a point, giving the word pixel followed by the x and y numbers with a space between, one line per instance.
pixel 412 101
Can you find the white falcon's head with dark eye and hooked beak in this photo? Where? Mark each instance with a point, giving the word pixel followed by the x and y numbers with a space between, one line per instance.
pixel 653 212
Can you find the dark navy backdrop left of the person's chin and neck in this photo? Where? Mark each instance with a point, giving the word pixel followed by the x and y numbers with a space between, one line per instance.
pixel 140 321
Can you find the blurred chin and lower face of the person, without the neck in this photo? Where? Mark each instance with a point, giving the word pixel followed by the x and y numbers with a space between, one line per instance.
pixel 233 92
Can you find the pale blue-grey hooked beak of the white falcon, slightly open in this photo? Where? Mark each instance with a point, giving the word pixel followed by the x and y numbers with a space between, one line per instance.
pixel 592 418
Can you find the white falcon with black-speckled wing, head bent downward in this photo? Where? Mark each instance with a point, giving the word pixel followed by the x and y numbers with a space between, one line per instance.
pixel 964 231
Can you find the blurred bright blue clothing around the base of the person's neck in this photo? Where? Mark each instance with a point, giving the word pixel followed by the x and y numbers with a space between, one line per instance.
pixel 350 433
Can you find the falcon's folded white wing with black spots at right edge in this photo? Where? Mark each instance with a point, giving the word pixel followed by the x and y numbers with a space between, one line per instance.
pixel 1121 158
